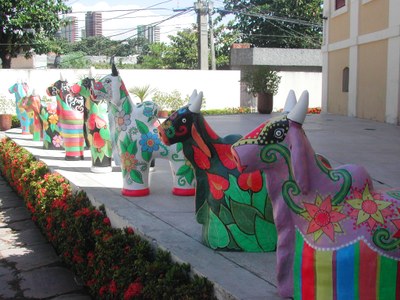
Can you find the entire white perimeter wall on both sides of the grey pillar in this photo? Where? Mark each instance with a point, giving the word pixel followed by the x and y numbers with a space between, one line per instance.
pixel 221 88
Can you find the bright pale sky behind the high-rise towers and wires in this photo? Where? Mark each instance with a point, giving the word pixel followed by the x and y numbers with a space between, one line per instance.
pixel 119 25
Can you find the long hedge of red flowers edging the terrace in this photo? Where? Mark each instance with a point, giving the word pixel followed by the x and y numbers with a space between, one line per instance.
pixel 113 263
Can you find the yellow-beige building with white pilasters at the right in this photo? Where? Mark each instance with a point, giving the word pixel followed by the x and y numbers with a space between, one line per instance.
pixel 361 59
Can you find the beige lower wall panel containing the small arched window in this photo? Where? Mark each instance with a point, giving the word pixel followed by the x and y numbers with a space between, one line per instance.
pixel 337 99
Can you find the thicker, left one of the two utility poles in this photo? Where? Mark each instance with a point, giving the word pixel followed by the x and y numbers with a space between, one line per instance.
pixel 201 8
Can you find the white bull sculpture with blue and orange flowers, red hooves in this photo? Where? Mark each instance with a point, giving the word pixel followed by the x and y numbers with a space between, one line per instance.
pixel 135 136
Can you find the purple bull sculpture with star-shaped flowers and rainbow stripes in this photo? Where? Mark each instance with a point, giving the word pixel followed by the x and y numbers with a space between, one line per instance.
pixel 338 237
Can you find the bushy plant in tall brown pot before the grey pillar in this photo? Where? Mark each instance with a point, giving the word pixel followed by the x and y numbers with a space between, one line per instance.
pixel 262 82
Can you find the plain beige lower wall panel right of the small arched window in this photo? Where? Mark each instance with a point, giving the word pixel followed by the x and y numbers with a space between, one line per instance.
pixel 372 77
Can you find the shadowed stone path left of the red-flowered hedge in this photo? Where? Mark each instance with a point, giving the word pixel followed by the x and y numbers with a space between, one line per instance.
pixel 29 266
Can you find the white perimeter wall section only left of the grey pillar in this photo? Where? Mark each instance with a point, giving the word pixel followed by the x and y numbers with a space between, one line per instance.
pixel 221 88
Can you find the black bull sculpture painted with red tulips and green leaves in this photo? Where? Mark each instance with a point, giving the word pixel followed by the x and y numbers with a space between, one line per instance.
pixel 233 208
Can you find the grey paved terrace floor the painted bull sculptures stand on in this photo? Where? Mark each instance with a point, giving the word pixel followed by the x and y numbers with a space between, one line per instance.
pixel 169 221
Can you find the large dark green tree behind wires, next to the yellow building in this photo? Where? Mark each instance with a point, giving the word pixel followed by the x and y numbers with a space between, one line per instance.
pixel 277 23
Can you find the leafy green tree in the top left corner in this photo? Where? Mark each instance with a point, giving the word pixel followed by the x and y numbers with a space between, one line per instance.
pixel 28 25
